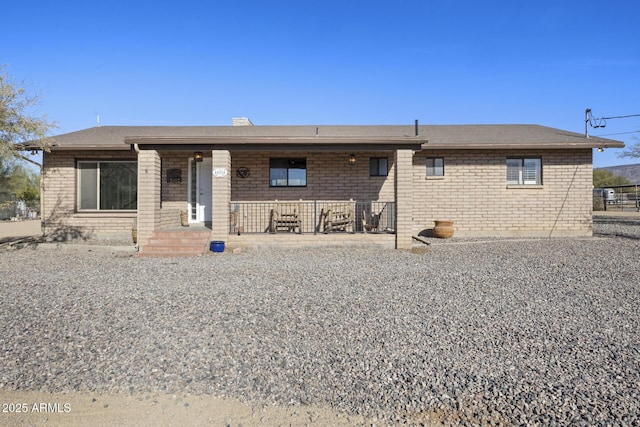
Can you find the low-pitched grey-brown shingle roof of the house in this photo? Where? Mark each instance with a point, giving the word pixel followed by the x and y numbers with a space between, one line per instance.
pixel 430 136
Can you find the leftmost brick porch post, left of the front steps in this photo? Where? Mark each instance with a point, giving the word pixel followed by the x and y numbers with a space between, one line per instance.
pixel 149 188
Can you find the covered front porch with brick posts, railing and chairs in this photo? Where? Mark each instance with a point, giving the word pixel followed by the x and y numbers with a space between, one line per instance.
pixel 338 194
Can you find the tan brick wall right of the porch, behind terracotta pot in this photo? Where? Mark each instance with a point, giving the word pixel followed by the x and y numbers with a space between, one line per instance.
pixel 474 194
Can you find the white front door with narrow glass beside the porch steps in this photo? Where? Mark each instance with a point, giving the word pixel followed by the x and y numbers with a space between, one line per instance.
pixel 200 191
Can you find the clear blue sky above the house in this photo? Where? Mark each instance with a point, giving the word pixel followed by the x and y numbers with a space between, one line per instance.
pixel 330 62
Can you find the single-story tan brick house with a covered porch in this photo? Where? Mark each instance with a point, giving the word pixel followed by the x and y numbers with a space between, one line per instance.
pixel 491 180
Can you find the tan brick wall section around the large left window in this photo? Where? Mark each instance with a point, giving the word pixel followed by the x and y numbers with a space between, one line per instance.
pixel 59 213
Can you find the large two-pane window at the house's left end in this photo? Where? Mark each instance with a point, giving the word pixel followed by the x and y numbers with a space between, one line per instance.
pixel 107 186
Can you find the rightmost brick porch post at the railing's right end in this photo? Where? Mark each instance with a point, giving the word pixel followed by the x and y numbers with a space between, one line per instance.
pixel 404 198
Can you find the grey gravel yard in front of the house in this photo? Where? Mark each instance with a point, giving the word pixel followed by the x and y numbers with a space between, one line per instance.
pixel 500 332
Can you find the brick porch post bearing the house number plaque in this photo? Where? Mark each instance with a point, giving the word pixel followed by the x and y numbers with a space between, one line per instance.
pixel 220 193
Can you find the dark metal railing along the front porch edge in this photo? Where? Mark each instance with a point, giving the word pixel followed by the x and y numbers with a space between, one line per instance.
pixel 313 216
